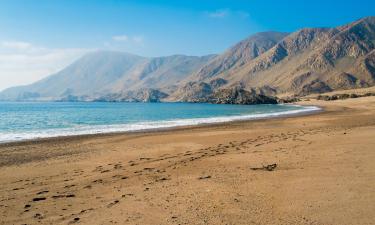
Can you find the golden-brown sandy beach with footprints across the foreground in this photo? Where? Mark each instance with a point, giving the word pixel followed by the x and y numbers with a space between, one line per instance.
pixel 325 173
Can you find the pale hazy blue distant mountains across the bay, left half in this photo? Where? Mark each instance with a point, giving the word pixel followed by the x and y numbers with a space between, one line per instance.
pixel 104 73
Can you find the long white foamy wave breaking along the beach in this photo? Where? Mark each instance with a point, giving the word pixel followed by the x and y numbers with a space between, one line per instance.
pixel 142 126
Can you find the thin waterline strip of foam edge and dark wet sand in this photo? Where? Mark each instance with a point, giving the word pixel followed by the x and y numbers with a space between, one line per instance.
pixel 287 114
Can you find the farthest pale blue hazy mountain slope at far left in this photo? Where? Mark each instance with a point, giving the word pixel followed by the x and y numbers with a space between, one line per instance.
pixel 88 75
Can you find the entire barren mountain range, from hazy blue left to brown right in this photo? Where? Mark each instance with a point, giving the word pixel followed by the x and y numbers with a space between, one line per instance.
pixel 310 60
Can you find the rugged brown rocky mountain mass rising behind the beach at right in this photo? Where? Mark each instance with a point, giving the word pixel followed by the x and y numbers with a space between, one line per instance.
pixel 311 60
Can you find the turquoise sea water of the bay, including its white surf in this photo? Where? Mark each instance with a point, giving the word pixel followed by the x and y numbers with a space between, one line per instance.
pixel 21 121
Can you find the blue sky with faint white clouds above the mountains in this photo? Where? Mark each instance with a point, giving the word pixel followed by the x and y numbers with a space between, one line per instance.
pixel 40 37
